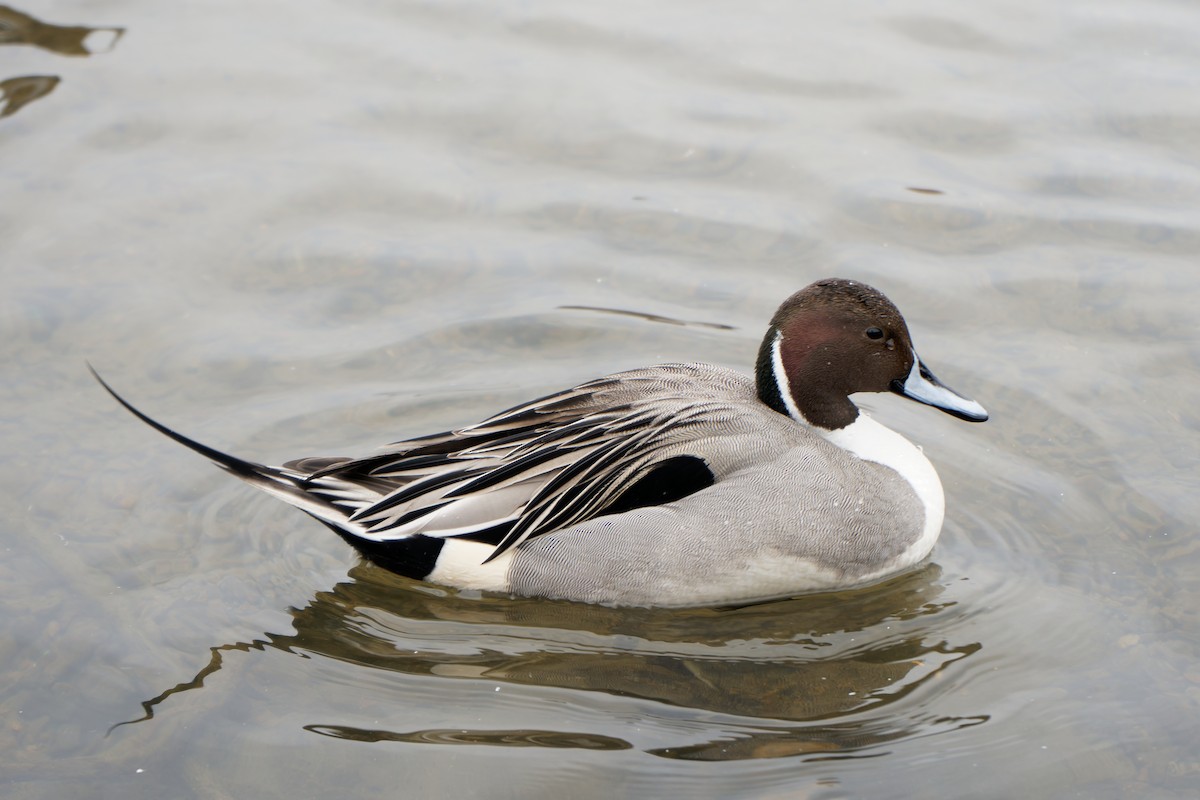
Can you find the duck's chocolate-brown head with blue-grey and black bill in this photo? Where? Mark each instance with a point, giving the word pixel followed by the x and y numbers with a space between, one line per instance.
pixel 837 338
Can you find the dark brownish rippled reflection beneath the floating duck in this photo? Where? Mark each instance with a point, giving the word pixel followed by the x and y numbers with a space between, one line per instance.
pixel 818 676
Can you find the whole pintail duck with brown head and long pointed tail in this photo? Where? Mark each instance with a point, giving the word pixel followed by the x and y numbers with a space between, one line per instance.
pixel 667 486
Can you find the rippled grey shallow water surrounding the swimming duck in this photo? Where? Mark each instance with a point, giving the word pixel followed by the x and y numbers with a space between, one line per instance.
pixel 315 231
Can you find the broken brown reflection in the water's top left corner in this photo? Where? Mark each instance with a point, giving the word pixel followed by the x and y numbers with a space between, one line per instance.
pixel 19 28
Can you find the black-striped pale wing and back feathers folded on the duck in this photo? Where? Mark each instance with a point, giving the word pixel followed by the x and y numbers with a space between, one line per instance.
pixel 532 470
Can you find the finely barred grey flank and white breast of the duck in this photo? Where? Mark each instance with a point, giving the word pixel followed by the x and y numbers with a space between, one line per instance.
pixel 740 539
